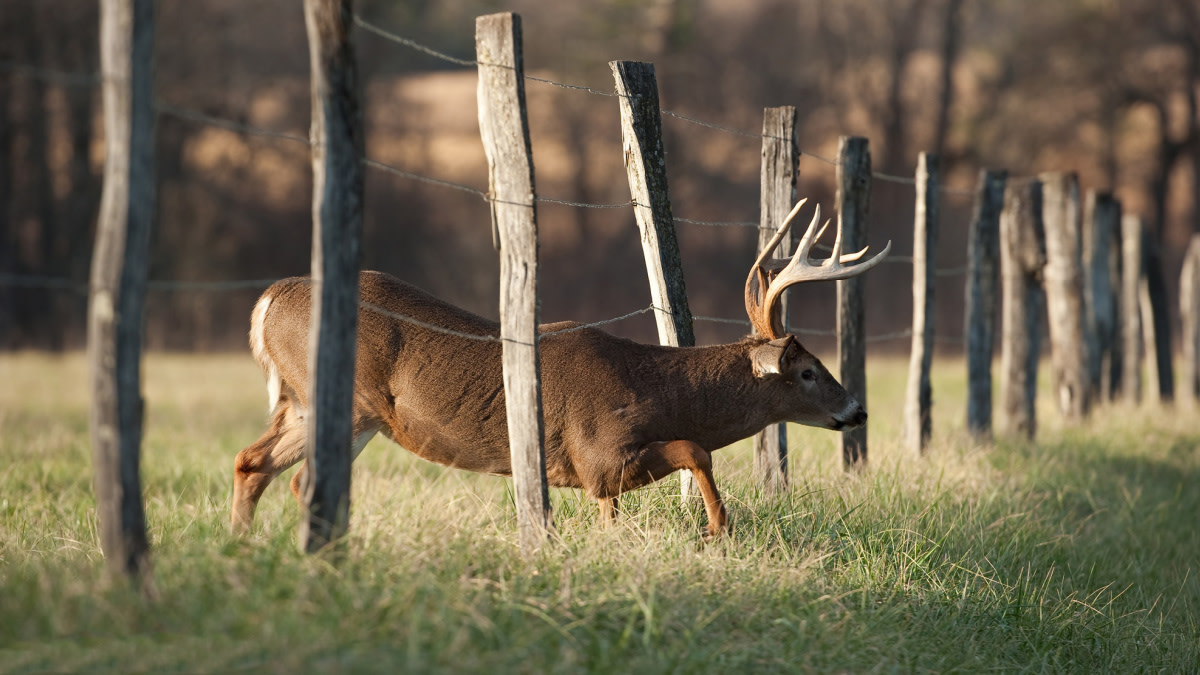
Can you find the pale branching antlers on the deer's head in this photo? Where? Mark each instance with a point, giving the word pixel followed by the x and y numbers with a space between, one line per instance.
pixel 777 274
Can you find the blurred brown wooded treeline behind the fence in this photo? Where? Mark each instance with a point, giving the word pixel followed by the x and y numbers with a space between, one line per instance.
pixel 1106 89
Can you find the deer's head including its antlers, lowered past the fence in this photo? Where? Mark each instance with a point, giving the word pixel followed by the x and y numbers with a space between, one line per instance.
pixel 811 393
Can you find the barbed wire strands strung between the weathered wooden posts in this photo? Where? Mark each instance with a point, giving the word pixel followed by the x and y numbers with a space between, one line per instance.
pixel 68 79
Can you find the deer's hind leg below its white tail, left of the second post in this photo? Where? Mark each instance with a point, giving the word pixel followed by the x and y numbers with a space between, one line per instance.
pixel 279 449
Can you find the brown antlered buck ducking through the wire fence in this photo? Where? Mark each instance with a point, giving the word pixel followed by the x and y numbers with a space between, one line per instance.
pixel 619 415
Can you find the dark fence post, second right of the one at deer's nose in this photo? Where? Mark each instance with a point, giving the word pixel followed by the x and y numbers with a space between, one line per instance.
pixel 983 253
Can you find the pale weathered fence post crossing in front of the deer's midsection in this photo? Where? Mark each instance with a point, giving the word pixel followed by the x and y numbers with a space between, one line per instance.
pixel 505 127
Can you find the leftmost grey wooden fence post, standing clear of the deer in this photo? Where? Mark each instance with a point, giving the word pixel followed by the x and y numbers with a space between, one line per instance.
pixel 117 297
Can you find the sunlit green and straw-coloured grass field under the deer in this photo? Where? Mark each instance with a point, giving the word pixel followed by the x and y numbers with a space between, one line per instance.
pixel 1078 554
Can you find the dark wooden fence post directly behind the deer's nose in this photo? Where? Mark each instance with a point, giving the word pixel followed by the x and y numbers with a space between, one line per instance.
pixel 854 201
